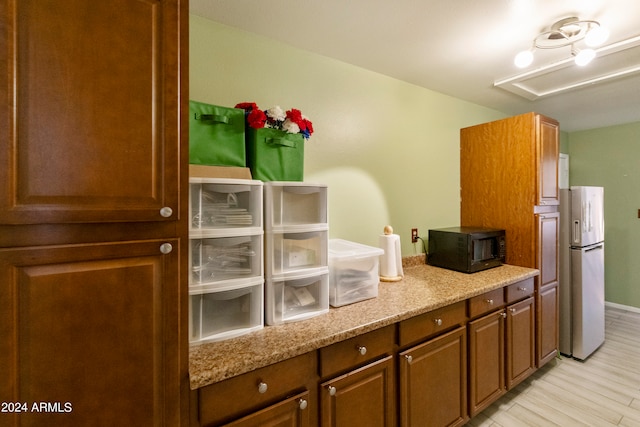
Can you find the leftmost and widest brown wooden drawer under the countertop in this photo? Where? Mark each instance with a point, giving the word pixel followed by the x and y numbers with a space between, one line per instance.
pixel 227 400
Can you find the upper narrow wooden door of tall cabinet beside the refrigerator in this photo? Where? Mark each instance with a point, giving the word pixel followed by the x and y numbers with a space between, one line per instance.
pixel 548 152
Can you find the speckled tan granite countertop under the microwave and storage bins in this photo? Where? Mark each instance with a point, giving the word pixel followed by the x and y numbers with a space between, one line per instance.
pixel 423 289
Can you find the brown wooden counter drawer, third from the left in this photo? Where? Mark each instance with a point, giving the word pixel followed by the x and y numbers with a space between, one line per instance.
pixel 433 322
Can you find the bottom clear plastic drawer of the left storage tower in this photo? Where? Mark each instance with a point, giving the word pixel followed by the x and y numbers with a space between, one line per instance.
pixel 222 314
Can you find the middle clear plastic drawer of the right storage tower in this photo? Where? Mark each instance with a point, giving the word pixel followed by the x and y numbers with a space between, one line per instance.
pixel 290 252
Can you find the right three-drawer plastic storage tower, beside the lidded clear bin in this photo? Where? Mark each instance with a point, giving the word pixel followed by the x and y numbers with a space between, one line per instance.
pixel 296 251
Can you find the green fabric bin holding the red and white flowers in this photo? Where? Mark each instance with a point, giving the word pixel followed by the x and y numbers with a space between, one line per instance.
pixel 275 155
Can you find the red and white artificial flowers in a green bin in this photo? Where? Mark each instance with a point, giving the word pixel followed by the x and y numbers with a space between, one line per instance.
pixel 291 121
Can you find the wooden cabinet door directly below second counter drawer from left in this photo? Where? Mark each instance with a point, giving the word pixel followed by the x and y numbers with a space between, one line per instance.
pixel 362 397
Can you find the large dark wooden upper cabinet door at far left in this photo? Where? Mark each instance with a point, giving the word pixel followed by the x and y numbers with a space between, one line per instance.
pixel 90 111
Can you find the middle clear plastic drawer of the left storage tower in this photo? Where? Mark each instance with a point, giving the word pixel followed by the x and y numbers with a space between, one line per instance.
pixel 225 258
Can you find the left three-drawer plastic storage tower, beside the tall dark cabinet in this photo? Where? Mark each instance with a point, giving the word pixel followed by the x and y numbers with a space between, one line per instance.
pixel 226 286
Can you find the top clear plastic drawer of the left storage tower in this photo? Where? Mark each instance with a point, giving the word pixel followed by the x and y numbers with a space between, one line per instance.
pixel 219 204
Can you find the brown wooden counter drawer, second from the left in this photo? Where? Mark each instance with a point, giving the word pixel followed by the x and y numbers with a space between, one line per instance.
pixel 355 351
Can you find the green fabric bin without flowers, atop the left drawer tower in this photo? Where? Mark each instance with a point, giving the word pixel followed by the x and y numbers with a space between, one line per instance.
pixel 216 135
